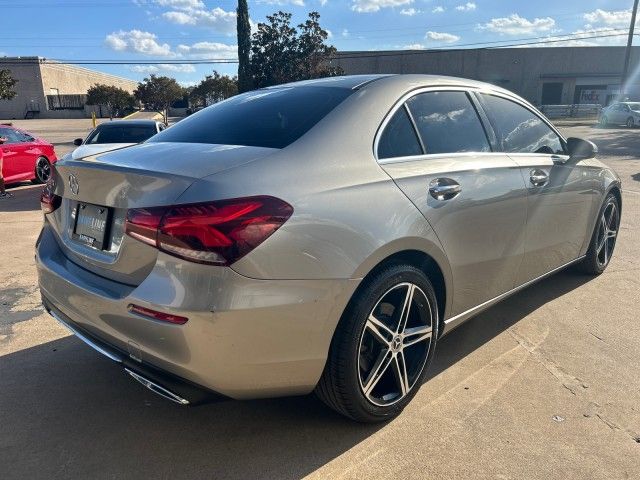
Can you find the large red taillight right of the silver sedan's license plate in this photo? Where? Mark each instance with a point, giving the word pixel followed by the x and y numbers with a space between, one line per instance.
pixel 217 233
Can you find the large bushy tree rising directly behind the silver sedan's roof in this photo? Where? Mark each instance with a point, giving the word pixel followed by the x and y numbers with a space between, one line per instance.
pixel 281 53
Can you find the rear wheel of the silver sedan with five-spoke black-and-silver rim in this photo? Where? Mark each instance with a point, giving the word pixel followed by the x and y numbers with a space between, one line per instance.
pixel 355 351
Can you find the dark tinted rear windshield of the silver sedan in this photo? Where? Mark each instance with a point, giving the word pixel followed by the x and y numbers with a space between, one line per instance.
pixel 272 118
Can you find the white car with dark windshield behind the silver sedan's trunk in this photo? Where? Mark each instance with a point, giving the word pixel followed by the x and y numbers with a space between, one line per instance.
pixel 113 136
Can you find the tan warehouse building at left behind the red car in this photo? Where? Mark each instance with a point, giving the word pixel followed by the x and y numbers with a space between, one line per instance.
pixel 48 89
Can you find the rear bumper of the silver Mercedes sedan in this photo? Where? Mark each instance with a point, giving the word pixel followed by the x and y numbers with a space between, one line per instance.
pixel 245 338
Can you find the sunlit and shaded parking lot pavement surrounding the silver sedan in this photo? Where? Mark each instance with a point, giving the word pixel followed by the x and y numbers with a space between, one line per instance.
pixel 544 385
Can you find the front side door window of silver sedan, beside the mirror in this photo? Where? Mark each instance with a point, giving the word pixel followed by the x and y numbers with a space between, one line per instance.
pixel 520 130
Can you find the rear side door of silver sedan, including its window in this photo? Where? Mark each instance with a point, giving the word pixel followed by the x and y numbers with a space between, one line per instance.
pixel 474 198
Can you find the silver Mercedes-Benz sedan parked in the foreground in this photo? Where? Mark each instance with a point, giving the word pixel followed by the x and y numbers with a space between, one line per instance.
pixel 321 235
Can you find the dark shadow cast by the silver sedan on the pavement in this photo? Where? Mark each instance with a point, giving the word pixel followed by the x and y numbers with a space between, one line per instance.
pixel 67 412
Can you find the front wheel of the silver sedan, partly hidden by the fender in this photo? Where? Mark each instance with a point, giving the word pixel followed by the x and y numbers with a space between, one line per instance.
pixel 603 239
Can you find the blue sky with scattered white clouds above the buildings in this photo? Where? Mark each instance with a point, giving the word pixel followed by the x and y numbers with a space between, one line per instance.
pixel 174 30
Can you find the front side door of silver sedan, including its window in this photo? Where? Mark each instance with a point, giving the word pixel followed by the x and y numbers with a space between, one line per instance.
pixel 559 192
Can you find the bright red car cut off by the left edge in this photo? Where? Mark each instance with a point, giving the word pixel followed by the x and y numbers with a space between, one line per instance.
pixel 25 157
